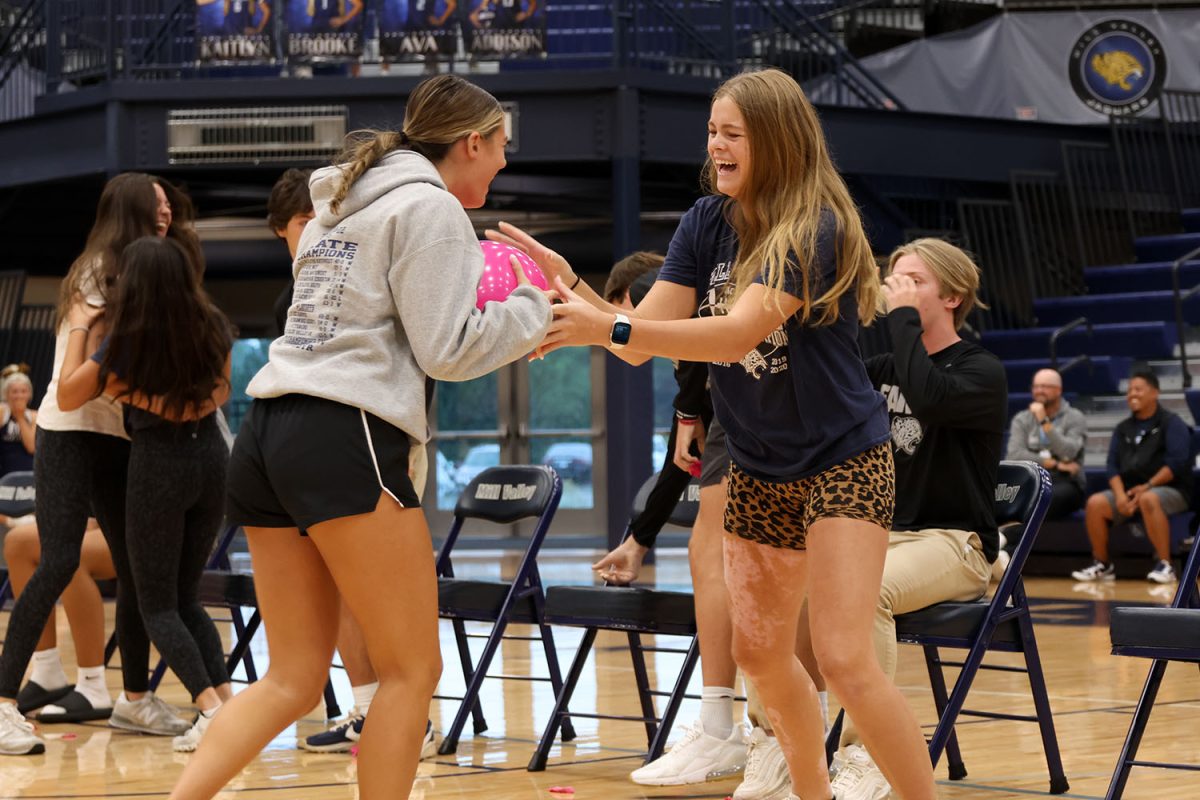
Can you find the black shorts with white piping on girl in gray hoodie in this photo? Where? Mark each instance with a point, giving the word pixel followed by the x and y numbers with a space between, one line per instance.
pixel 299 461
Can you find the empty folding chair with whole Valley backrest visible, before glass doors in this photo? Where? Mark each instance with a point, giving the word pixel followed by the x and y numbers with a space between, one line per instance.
pixel 501 496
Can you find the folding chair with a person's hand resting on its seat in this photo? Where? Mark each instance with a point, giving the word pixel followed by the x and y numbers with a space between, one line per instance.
pixel 635 612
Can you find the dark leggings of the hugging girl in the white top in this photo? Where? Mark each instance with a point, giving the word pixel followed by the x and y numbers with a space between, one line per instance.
pixel 77 474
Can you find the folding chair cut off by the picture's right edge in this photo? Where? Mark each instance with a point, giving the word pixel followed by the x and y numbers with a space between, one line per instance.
pixel 1163 635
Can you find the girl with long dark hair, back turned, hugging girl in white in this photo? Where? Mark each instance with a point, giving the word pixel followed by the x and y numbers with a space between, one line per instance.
pixel 167 358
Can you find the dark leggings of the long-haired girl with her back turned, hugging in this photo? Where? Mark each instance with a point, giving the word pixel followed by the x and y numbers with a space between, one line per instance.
pixel 176 504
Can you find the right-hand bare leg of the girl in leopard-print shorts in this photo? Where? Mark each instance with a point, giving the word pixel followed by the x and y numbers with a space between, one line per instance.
pixel 845 574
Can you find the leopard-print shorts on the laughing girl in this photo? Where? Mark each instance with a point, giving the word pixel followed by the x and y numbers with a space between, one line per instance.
pixel 779 515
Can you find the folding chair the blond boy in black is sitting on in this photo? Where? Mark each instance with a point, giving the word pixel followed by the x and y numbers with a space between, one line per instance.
pixel 1003 624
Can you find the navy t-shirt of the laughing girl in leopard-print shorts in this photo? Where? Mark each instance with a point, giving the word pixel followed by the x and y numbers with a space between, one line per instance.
pixel 801 401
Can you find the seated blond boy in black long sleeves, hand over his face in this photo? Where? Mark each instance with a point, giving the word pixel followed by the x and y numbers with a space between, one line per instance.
pixel 947 401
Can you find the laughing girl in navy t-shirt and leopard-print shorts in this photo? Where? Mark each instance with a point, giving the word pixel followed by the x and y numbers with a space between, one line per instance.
pixel 782 274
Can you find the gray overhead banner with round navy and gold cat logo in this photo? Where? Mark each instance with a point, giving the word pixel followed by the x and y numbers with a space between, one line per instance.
pixel 1072 68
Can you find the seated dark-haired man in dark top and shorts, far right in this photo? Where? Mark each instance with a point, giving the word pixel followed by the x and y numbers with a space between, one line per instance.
pixel 1150 473
